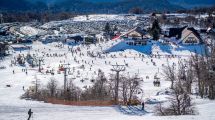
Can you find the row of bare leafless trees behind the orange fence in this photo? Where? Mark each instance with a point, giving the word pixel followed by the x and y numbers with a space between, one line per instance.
pixel 103 89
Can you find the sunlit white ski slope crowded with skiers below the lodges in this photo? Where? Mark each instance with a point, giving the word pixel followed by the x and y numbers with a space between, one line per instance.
pixel 13 108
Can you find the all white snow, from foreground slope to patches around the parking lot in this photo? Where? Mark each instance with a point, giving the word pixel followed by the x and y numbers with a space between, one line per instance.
pixel 108 53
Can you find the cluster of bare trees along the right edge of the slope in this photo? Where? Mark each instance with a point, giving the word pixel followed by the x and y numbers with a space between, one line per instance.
pixel 193 77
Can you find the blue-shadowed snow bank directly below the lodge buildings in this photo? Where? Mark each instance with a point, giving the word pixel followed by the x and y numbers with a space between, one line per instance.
pixel 154 47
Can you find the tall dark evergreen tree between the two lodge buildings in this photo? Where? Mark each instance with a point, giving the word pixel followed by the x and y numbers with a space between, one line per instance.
pixel 155 30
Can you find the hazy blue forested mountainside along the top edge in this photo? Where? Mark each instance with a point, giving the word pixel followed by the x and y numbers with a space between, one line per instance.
pixel 86 6
